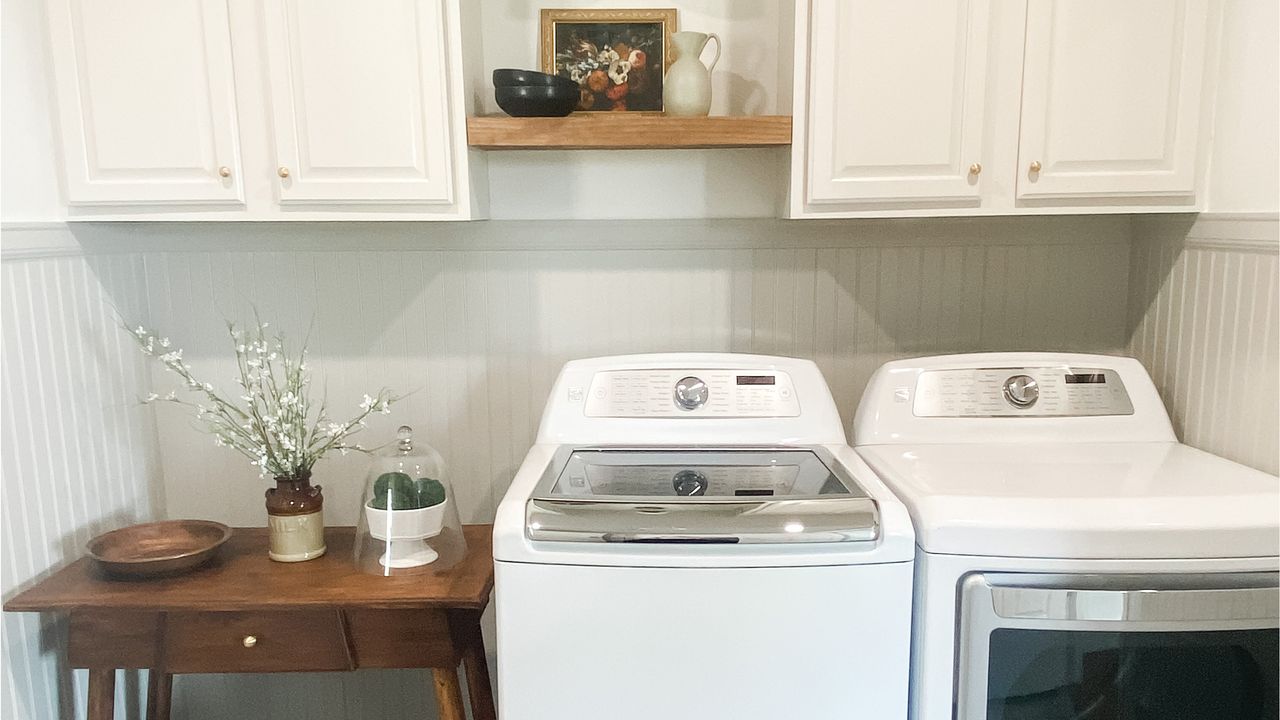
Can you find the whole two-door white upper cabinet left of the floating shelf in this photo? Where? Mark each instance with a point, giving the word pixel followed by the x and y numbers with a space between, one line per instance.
pixel 264 110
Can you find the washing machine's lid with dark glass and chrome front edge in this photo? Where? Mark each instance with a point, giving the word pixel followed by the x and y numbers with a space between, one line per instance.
pixel 700 495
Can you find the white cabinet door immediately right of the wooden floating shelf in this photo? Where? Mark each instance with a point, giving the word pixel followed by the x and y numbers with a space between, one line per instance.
pixel 897 94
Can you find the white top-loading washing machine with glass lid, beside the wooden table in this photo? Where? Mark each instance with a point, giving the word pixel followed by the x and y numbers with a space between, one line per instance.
pixel 692 537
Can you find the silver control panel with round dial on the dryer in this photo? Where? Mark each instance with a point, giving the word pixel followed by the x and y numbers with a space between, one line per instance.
pixel 1036 393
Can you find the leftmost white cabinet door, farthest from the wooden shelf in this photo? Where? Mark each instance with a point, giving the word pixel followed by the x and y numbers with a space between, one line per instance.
pixel 147 102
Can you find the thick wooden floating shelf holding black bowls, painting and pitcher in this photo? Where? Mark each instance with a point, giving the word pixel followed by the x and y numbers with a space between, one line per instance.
pixel 627 131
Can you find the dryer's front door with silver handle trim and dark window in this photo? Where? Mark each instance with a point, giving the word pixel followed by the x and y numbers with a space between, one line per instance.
pixel 1103 648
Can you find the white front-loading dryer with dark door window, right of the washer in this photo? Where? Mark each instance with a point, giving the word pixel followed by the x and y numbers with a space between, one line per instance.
pixel 1076 562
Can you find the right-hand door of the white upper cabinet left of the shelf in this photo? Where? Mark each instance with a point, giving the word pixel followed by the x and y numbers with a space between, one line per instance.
pixel 359 101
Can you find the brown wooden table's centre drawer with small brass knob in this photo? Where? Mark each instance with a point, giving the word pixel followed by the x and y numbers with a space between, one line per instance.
pixel 255 642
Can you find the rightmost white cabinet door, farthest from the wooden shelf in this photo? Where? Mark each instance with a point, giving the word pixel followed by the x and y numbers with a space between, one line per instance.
pixel 1112 98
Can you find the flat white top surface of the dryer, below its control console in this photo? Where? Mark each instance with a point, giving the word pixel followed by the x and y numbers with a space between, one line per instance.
pixel 1122 500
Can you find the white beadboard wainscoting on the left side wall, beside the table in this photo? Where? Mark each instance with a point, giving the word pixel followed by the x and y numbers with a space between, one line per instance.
pixel 80 455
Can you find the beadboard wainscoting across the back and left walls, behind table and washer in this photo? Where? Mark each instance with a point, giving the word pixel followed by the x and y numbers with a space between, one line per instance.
pixel 476 321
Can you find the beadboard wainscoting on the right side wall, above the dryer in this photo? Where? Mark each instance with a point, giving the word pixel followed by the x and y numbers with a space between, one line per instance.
pixel 1204 320
